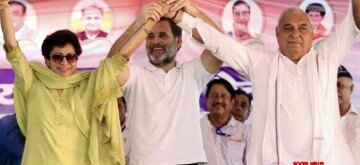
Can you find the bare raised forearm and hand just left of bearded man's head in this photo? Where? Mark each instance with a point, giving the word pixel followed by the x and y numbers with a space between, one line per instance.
pixel 149 11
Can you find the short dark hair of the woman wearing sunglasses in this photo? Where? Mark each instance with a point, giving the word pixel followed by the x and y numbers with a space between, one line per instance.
pixel 60 38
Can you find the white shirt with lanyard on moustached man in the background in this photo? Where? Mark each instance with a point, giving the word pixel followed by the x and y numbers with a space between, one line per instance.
pixel 229 149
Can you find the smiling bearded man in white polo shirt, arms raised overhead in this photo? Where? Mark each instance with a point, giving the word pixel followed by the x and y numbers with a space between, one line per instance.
pixel 163 96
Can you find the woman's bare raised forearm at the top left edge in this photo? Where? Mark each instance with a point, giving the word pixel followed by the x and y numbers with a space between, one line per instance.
pixel 6 26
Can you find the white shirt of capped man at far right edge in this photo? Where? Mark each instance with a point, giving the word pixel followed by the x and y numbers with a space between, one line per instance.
pixel 351 128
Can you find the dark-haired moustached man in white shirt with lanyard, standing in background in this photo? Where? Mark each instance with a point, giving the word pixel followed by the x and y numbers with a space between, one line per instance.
pixel 225 138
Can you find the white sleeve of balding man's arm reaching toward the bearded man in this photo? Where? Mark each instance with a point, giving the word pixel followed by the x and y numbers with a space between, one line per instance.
pixel 237 55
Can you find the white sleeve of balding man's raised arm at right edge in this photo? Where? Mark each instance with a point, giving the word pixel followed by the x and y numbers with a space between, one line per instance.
pixel 337 45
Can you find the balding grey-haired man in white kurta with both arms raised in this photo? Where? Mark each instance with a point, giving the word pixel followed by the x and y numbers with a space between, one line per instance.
pixel 296 115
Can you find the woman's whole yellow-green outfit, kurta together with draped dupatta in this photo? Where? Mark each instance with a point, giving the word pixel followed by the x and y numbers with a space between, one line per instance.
pixel 79 127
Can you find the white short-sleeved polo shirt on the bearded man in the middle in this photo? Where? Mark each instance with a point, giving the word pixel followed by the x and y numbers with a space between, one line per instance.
pixel 164 113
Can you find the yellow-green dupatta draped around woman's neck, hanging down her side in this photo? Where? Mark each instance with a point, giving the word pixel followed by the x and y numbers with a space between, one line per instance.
pixel 98 88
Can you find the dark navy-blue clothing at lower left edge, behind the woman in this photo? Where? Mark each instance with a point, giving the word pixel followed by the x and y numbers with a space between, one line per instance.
pixel 12 141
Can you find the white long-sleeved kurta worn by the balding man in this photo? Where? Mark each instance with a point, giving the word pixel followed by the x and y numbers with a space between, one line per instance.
pixel 256 65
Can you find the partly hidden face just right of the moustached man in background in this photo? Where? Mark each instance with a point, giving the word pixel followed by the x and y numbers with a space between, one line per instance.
pixel 242 104
